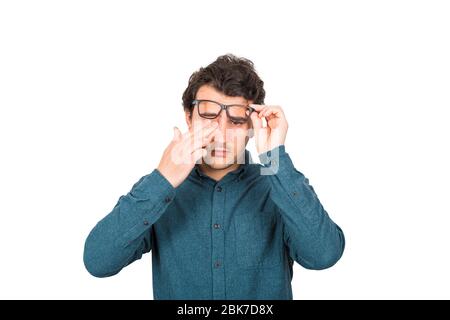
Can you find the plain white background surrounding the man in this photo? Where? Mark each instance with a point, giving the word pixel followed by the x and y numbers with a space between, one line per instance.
pixel 90 91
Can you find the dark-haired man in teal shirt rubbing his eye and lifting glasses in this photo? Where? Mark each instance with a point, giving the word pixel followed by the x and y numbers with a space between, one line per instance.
pixel 220 226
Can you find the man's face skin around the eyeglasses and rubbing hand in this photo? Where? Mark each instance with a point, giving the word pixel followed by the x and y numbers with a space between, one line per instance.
pixel 228 145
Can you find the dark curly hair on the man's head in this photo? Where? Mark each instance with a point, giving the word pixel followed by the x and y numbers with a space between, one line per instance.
pixel 233 76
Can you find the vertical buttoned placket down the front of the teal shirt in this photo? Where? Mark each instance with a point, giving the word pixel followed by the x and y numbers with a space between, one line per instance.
pixel 218 243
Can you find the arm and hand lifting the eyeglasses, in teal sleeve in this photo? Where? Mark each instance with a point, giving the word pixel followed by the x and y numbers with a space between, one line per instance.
pixel 313 239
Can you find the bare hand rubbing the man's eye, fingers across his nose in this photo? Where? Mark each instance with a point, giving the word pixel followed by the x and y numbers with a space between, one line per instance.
pixel 185 150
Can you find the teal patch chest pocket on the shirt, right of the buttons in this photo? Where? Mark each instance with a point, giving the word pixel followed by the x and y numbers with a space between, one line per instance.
pixel 258 240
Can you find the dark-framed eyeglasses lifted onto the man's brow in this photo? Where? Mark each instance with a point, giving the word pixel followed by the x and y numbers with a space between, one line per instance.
pixel 237 113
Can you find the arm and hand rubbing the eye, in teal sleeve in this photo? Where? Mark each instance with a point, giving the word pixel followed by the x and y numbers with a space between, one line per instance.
pixel 126 232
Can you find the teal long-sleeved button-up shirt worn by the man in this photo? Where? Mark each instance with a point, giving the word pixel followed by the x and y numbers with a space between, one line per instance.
pixel 235 238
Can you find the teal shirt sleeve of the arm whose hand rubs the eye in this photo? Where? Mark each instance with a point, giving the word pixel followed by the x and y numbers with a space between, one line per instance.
pixel 125 233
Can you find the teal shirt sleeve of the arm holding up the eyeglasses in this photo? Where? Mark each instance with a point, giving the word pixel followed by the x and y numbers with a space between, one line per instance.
pixel 312 238
